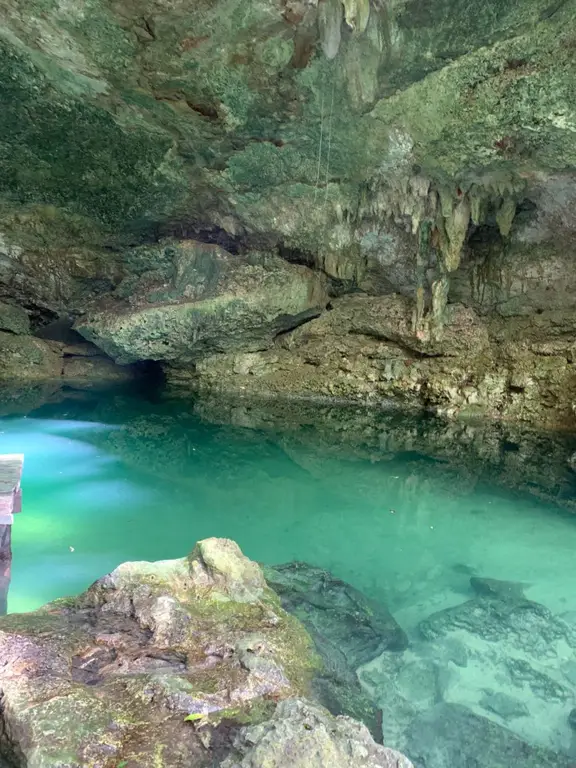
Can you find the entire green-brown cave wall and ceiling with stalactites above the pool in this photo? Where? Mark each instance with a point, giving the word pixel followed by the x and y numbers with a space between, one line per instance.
pixel 356 199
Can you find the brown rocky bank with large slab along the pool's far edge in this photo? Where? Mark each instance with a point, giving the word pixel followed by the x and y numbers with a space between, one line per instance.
pixel 255 325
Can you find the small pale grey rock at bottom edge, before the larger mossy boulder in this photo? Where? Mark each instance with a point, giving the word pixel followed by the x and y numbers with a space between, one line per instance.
pixel 302 735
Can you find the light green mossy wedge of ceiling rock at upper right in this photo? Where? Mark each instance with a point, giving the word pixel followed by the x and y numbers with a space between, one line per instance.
pixel 506 107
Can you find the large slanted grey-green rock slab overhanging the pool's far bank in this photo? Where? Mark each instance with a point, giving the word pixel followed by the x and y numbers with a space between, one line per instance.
pixel 197 300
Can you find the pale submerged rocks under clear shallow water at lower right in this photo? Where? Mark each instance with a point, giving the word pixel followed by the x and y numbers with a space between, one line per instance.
pixel 488 684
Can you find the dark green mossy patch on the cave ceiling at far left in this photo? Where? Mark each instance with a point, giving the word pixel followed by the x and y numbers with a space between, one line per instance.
pixel 68 153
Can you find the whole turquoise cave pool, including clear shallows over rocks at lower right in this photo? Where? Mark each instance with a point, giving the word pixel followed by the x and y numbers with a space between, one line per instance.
pixel 415 513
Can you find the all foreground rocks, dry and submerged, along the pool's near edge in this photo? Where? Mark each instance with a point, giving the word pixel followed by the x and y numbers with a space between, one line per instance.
pixel 212 661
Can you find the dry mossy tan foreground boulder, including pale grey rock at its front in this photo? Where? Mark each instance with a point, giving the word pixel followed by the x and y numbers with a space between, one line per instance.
pixel 173 663
